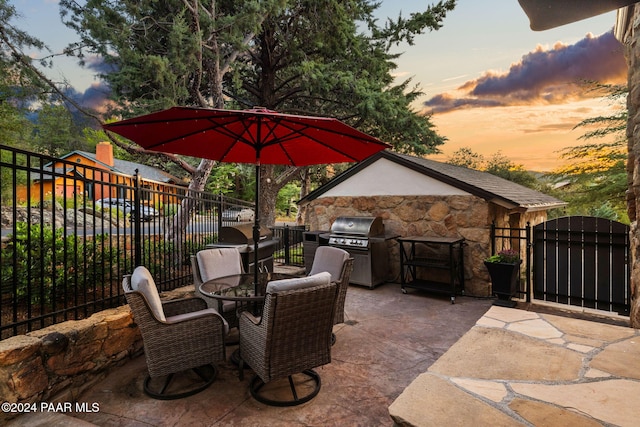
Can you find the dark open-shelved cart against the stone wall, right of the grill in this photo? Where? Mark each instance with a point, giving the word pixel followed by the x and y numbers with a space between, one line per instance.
pixel 433 264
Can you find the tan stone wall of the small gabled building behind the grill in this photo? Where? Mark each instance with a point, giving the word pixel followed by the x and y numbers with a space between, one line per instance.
pixel 442 216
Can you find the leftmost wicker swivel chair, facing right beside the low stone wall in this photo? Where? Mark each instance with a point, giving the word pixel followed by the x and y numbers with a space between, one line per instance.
pixel 178 336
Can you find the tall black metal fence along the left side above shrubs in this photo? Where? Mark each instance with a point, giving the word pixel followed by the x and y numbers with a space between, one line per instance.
pixel 64 247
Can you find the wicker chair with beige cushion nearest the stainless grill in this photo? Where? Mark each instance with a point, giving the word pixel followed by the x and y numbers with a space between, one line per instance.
pixel 339 264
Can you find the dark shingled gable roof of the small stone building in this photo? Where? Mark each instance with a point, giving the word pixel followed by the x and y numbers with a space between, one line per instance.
pixel 481 184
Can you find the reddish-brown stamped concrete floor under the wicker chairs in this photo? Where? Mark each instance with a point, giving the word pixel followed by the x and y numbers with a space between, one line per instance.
pixel 388 340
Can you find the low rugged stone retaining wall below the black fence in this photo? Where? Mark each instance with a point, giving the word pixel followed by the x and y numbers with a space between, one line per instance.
pixel 57 363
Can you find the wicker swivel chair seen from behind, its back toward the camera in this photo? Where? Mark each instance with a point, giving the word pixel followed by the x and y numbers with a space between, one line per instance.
pixel 292 337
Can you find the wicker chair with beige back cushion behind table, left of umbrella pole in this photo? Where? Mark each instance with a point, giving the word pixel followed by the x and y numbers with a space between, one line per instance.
pixel 210 264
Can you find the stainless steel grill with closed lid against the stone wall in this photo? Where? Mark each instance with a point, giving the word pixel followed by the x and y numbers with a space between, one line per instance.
pixel 364 238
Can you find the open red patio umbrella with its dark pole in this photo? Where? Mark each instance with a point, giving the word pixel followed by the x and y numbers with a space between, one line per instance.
pixel 256 136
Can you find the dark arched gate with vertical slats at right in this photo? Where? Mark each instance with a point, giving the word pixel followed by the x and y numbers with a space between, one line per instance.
pixel 582 261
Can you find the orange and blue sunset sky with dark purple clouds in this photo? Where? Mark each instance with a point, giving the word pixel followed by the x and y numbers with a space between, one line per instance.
pixel 491 83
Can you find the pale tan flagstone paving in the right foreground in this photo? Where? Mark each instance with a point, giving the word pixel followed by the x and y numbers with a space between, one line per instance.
pixel 517 367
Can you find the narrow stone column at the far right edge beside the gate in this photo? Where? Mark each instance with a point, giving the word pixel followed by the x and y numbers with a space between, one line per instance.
pixel 632 53
